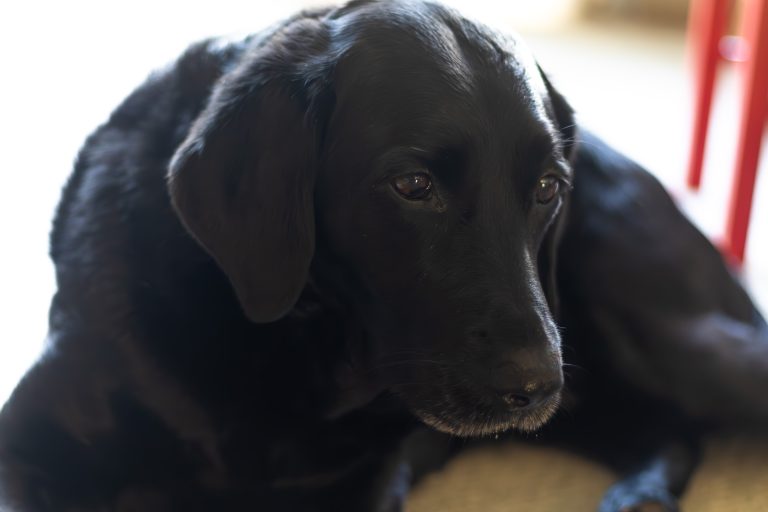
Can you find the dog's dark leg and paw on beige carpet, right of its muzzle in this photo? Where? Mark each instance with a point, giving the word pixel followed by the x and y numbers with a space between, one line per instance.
pixel 652 448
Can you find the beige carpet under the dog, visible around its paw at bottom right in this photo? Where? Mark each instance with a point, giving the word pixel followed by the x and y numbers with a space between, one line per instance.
pixel 513 477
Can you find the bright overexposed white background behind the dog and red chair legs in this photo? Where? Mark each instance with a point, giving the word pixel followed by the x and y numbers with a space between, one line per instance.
pixel 66 65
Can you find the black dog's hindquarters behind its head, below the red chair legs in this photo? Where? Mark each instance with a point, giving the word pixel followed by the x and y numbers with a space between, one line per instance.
pixel 655 296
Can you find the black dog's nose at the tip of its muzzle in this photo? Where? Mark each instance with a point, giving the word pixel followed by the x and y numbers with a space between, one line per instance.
pixel 518 390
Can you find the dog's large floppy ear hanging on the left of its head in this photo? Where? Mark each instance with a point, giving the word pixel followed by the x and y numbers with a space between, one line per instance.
pixel 242 182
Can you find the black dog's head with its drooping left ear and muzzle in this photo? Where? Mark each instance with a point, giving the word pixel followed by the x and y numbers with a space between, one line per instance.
pixel 415 165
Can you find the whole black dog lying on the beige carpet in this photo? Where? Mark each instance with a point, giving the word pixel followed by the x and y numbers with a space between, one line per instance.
pixel 277 256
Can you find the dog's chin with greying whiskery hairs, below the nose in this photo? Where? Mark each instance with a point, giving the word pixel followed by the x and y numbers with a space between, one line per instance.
pixel 486 422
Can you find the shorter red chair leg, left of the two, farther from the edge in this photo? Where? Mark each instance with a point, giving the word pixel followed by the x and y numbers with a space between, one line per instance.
pixel 706 25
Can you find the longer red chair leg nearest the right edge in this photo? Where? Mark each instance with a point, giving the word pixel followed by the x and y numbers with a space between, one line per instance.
pixel 753 109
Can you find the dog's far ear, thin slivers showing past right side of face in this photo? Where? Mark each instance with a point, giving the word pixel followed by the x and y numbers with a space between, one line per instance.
pixel 562 114
